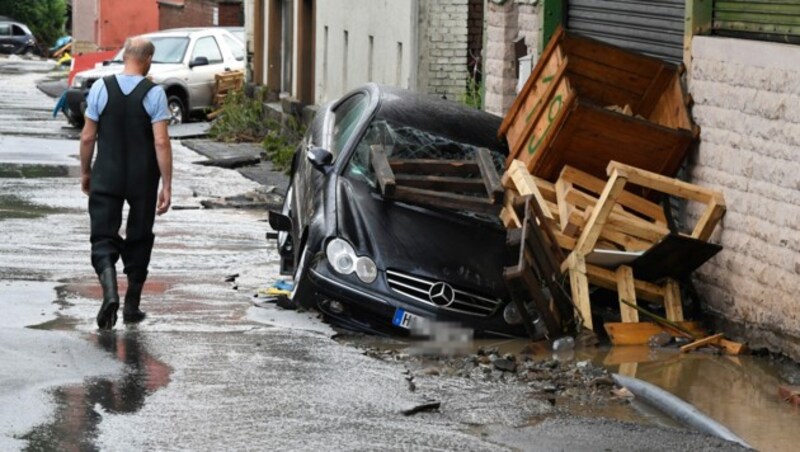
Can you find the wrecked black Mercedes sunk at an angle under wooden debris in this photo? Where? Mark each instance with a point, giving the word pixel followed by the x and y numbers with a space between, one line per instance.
pixel 374 263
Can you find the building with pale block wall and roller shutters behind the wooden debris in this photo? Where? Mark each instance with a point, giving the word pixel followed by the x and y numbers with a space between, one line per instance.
pixel 743 71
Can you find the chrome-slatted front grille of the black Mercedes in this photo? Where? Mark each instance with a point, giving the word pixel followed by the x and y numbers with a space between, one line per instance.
pixel 419 288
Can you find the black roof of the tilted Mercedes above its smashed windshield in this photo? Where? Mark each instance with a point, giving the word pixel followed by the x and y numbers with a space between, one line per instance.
pixel 439 116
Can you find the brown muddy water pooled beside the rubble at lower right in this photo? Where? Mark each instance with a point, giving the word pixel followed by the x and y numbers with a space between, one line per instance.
pixel 739 392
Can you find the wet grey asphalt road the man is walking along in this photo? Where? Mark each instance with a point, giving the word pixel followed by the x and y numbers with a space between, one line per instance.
pixel 207 370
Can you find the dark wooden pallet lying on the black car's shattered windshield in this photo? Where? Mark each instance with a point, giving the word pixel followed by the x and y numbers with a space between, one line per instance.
pixel 472 185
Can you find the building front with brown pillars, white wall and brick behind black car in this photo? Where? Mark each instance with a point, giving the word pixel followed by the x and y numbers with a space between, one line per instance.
pixel 315 51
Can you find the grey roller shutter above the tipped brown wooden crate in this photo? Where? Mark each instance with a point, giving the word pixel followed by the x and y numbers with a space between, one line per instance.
pixel 653 27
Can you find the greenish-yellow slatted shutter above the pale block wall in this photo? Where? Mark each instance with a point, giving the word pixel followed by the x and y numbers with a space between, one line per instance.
pixel 771 20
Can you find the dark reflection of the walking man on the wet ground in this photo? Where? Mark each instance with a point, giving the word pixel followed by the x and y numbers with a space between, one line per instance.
pixel 74 426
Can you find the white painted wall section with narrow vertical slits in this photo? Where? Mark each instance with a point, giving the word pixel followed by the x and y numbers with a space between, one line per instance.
pixel 389 22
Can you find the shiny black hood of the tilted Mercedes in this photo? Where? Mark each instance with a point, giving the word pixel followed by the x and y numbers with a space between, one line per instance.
pixel 465 252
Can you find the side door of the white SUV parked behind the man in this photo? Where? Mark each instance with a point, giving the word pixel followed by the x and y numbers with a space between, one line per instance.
pixel 201 78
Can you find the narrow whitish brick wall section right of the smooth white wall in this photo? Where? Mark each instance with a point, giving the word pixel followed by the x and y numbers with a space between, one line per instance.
pixel 443 47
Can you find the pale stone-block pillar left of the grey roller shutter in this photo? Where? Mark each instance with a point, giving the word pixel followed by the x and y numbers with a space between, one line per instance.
pixel 507 23
